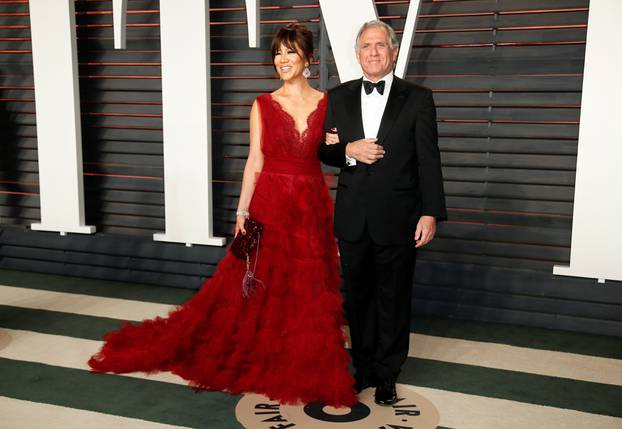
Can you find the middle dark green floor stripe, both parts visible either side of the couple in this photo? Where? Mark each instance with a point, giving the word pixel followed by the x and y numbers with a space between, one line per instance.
pixel 517 386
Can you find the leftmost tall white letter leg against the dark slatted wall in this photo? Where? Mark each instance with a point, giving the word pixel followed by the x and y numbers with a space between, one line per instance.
pixel 59 134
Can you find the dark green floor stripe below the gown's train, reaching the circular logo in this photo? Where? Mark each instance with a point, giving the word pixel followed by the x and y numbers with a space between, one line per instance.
pixel 129 397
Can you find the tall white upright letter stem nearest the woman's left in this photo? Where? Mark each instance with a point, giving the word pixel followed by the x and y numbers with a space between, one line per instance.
pixel 186 119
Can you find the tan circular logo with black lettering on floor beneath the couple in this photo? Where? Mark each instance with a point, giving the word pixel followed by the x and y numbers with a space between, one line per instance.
pixel 412 411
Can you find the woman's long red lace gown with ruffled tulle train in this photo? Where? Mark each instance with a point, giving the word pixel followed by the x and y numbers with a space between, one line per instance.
pixel 285 340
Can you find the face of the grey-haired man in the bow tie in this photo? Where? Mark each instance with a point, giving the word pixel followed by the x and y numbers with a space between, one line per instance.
pixel 375 55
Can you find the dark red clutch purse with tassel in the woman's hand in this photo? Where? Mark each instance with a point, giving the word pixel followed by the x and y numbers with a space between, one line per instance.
pixel 243 246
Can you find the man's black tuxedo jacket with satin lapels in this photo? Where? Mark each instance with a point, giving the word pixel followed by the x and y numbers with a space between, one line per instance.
pixel 391 194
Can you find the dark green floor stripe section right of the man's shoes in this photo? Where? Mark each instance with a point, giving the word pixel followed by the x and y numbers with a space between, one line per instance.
pixel 536 389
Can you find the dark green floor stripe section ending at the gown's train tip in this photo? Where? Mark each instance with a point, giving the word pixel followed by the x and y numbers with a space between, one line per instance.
pixel 56 323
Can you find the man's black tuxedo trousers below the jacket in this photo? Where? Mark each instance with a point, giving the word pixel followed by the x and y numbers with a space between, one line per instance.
pixel 378 282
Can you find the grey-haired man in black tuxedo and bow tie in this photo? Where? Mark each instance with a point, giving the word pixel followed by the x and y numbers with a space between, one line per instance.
pixel 381 132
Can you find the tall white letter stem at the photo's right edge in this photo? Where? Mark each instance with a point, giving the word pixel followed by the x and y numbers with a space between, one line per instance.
pixel 596 227
